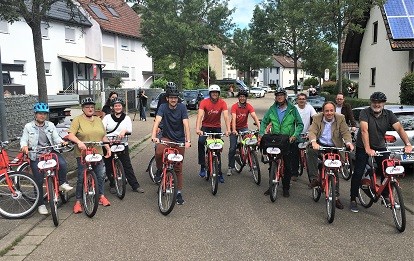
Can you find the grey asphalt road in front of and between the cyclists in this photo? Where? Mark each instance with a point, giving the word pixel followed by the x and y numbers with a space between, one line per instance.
pixel 239 223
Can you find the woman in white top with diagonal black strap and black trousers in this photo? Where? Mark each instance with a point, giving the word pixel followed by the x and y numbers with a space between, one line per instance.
pixel 117 124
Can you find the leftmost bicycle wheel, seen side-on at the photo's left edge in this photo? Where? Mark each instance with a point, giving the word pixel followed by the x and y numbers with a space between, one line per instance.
pixel 26 199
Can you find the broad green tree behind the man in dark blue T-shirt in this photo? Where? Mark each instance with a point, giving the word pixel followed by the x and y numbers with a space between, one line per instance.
pixel 178 29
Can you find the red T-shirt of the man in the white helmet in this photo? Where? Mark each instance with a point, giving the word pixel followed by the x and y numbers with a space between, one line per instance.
pixel 212 112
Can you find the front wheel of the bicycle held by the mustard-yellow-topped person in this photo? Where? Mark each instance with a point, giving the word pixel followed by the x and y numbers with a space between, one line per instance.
pixel 90 193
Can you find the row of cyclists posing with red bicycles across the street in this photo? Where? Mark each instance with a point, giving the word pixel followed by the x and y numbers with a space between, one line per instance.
pixel 330 128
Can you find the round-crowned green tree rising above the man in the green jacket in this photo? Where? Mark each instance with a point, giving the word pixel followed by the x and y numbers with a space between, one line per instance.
pixel 285 27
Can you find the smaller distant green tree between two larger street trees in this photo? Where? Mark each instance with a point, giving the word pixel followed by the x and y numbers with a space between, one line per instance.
pixel 242 53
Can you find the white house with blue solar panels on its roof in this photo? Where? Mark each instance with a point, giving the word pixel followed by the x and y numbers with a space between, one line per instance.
pixel 383 53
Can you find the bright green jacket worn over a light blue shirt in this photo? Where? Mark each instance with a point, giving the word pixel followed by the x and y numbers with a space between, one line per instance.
pixel 291 123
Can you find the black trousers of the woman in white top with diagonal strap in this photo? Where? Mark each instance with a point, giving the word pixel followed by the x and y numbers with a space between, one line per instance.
pixel 128 169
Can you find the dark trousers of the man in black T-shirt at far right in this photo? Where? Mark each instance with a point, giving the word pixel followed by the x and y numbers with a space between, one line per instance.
pixel 361 160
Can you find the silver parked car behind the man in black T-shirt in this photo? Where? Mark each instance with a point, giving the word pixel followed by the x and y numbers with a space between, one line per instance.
pixel 405 114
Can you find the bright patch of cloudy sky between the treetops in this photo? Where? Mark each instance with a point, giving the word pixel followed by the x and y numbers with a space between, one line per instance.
pixel 243 11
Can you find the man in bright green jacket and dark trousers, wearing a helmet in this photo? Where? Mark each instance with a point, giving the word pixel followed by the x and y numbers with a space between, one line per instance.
pixel 284 119
